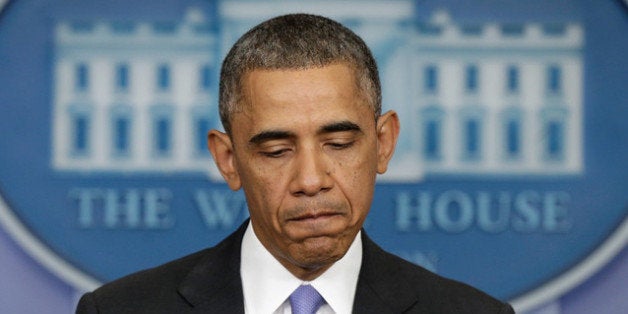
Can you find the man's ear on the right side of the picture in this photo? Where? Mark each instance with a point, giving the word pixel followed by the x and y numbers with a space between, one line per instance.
pixel 387 134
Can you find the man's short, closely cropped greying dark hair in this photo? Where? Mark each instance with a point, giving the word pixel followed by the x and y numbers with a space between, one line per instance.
pixel 296 41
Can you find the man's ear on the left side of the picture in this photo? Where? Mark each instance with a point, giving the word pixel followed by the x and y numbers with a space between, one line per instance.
pixel 221 147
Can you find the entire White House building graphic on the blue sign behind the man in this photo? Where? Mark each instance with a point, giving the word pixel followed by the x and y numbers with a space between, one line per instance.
pixel 475 99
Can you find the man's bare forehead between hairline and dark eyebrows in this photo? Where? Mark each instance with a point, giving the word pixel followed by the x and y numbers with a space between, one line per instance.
pixel 300 101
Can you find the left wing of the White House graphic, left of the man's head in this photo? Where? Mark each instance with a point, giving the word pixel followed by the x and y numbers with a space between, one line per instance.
pixel 133 96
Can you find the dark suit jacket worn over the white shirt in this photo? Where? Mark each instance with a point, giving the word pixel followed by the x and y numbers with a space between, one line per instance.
pixel 209 282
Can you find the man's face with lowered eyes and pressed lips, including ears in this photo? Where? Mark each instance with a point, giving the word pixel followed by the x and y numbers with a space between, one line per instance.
pixel 306 150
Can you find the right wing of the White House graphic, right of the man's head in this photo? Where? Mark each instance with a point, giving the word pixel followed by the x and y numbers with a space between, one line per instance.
pixel 492 99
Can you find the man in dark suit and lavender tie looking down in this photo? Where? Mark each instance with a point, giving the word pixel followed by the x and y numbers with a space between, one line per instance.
pixel 300 102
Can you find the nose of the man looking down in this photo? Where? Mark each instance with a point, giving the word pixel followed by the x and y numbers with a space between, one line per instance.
pixel 312 173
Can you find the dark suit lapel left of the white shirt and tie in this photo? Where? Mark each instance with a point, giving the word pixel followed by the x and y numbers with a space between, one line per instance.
pixel 214 284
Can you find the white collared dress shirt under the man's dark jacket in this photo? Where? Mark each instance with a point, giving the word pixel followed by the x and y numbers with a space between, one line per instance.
pixel 267 284
